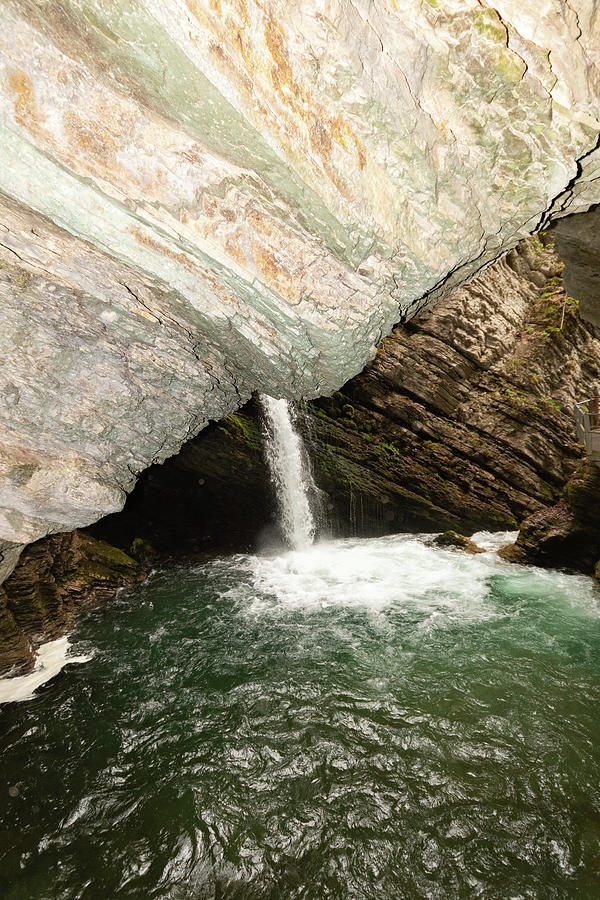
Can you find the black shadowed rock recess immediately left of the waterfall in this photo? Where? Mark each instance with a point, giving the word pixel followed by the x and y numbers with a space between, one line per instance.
pixel 216 493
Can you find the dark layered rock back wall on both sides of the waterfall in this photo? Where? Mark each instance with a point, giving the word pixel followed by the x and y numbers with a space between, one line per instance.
pixel 463 421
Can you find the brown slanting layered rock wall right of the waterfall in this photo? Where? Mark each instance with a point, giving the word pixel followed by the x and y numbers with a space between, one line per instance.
pixel 464 421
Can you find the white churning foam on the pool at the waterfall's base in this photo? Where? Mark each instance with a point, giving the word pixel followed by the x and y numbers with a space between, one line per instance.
pixel 401 571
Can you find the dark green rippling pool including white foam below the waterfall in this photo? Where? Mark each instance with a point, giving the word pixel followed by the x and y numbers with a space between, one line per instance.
pixel 375 719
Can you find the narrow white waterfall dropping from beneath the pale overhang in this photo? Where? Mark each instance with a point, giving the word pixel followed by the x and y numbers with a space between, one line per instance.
pixel 286 457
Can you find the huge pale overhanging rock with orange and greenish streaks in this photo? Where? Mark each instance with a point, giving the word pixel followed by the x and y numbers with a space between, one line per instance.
pixel 202 199
